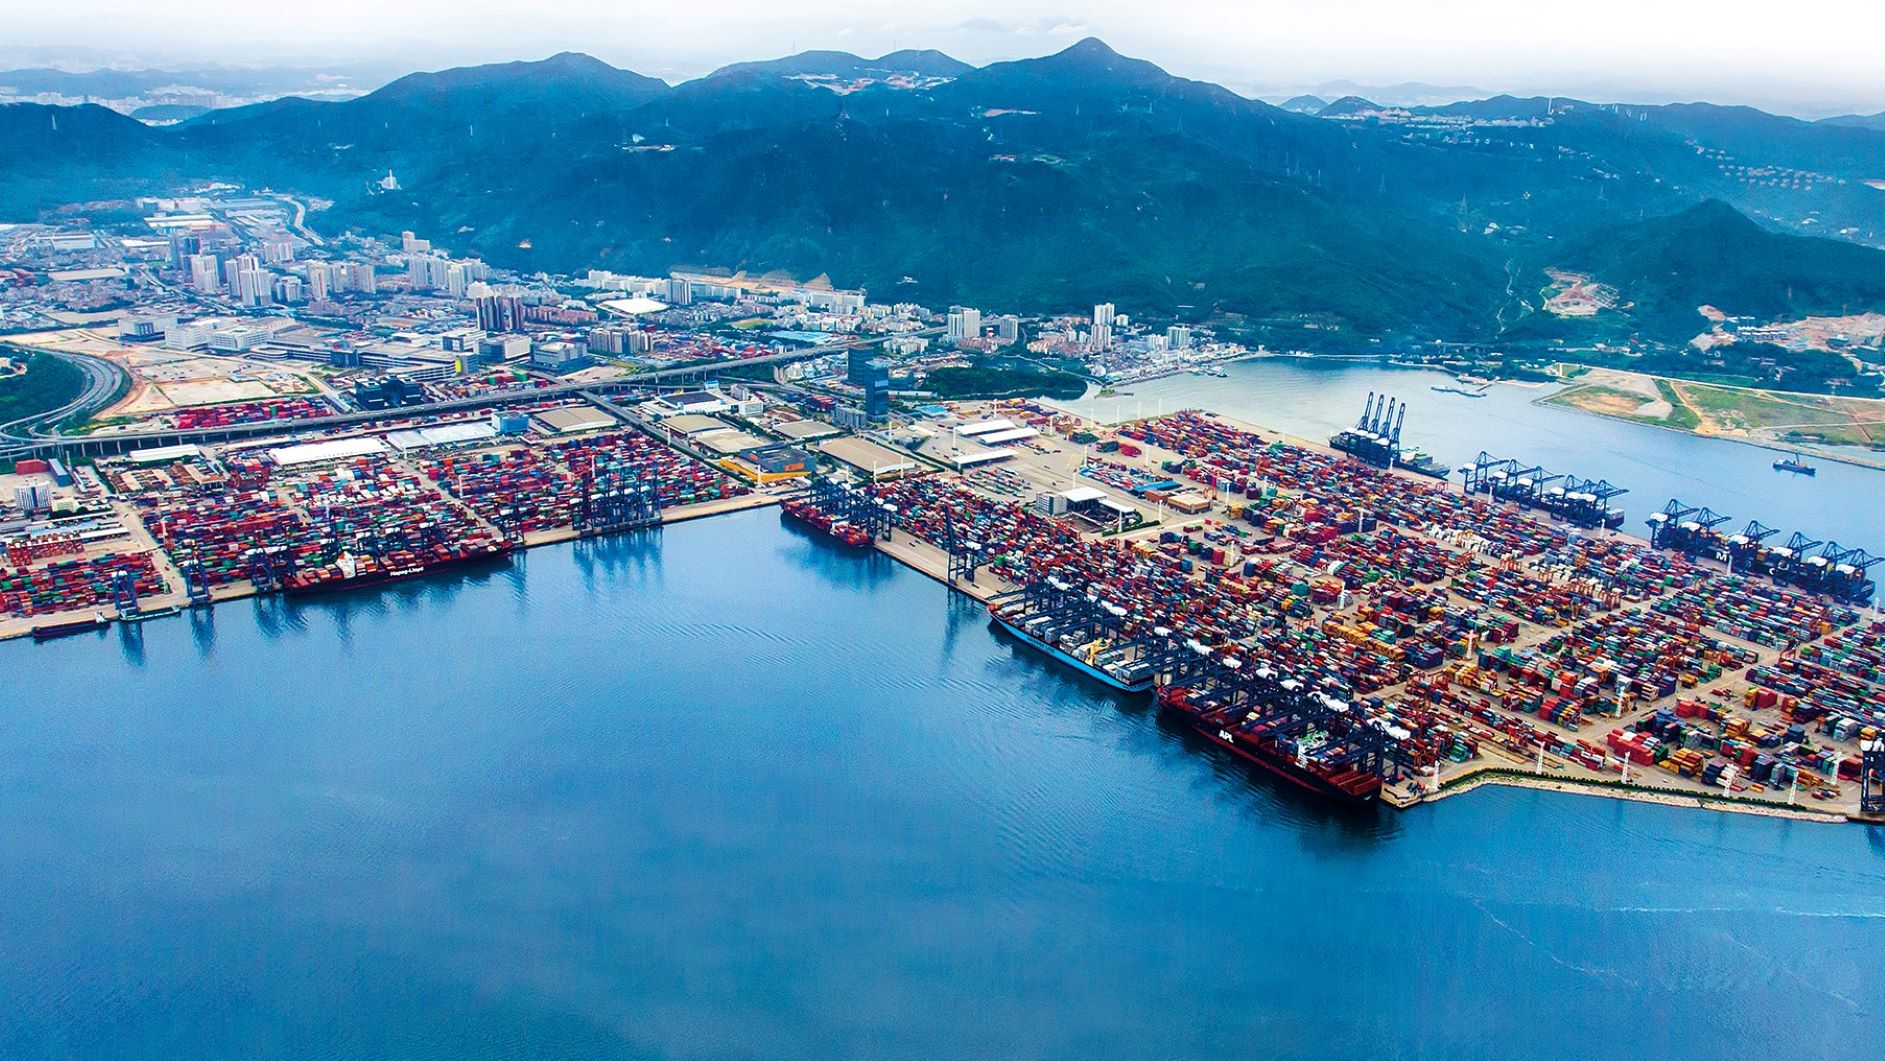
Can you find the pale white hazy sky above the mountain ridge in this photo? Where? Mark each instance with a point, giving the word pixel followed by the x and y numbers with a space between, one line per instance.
pixel 1807 54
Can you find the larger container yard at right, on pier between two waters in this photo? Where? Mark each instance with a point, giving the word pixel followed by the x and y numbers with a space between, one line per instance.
pixel 1369 634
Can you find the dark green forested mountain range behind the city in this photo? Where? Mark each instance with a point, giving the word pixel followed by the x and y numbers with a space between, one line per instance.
pixel 1045 186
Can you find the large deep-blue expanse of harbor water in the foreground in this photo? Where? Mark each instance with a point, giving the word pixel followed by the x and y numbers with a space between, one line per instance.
pixel 727 791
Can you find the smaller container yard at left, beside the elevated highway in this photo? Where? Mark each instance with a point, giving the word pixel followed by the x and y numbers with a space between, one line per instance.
pixel 189 527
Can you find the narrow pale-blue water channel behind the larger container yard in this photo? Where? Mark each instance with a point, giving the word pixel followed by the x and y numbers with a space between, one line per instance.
pixel 1313 399
